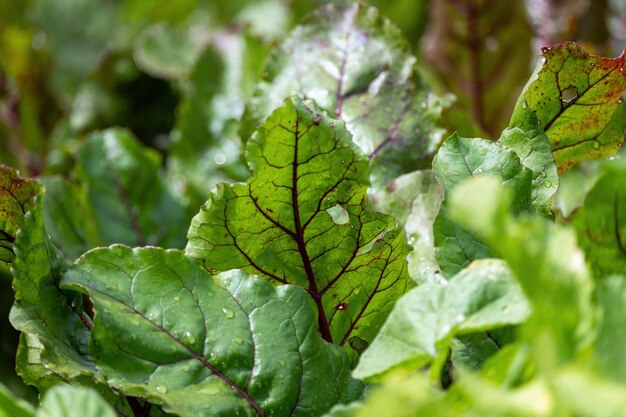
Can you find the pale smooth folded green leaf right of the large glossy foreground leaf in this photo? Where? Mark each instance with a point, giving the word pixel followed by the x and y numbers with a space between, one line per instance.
pixel 422 323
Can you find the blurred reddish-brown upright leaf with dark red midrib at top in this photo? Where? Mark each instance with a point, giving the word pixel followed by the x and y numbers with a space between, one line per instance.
pixel 480 50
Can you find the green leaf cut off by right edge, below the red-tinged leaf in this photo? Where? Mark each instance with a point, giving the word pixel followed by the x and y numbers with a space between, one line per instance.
pixel 601 222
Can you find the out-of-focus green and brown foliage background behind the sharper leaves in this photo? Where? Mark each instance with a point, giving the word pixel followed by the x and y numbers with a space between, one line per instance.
pixel 178 74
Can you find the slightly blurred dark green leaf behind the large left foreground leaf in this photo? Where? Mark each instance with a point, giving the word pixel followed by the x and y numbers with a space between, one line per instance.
pixel 130 202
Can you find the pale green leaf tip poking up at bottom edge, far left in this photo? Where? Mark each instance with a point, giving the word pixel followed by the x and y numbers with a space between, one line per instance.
pixel 66 401
